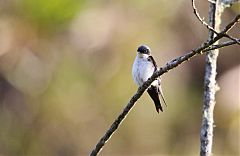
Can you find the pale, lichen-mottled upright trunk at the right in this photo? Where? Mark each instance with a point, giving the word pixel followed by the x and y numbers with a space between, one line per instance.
pixel 210 84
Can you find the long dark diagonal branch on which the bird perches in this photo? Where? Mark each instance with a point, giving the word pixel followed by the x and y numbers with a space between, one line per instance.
pixel 170 65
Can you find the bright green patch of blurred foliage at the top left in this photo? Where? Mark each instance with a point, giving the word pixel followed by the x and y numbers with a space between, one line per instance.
pixel 49 14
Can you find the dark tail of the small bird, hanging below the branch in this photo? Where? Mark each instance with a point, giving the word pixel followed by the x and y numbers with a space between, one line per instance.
pixel 153 92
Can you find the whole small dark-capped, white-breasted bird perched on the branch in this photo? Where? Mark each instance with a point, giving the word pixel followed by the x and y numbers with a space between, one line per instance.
pixel 143 68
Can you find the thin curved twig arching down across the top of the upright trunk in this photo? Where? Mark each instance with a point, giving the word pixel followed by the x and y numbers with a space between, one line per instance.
pixel 207 25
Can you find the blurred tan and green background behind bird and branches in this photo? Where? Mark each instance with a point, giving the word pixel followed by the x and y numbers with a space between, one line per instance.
pixel 65 75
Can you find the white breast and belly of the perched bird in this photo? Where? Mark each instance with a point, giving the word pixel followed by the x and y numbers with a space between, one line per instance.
pixel 142 69
